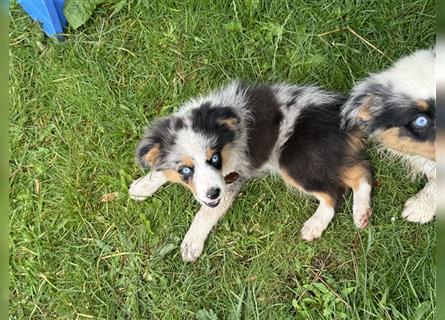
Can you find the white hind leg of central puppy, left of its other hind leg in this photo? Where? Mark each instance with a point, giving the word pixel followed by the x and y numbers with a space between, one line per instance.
pixel 315 225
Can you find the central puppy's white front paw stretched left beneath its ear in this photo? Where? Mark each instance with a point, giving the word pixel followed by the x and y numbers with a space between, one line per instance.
pixel 146 186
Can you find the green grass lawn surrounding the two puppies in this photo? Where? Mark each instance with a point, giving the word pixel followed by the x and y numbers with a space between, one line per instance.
pixel 78 108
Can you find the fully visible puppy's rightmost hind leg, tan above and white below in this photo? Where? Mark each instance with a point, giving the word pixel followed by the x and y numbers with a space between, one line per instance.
pixel 358 178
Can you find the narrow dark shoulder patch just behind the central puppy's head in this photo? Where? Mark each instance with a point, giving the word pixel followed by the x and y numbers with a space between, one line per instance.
pixel 264 129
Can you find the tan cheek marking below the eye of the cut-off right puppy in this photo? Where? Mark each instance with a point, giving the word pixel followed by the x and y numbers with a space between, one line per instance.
pixel 392 139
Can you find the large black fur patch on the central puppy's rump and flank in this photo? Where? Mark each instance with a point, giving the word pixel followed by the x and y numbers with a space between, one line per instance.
pixel 316 152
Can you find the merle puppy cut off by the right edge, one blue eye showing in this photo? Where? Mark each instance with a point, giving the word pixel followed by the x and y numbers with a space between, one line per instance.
pixel 397 109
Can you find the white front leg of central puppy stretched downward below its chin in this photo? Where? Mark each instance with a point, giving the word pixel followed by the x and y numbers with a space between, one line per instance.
pixel 204 221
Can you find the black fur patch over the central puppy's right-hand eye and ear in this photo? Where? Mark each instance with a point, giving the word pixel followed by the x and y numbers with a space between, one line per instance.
pixel 207 119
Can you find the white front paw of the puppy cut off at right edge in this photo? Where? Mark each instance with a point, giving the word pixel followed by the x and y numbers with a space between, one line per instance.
pixel 422 207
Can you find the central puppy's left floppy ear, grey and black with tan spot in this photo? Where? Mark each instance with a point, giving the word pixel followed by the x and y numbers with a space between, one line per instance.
pixel 149 150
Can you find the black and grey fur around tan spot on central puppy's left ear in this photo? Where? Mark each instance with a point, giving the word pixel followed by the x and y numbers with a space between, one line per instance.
pixel 158 133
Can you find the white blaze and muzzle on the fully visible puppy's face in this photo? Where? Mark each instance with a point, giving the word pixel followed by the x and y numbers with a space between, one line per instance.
pixel 205 177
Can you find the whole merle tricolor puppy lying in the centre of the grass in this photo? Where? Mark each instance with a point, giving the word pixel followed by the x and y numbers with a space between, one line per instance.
pixel 239 132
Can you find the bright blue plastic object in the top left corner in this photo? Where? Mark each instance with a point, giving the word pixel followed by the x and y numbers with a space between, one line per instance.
pixel 49 13
